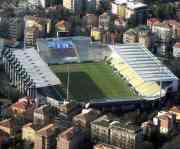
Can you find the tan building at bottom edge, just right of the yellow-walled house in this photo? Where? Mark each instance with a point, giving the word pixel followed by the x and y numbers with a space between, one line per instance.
pixel 46 137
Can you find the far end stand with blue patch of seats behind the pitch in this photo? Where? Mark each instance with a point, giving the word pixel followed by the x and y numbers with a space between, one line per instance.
pixel 71 49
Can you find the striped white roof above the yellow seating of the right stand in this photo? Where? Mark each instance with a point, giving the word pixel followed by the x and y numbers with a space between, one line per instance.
pixel 141 60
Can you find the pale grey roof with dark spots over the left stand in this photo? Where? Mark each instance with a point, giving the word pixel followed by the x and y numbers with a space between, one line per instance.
pixel 36 68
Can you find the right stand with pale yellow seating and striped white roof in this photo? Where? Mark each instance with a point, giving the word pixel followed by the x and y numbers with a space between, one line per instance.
pixel 147 75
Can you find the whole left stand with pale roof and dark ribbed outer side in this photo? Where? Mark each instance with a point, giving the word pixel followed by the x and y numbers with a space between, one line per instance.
pixel 27 71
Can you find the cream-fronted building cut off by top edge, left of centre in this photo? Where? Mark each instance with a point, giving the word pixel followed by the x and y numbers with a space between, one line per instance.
pixel 75 6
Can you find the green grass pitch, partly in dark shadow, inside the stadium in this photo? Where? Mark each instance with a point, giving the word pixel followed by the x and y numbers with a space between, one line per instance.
pixel 92 80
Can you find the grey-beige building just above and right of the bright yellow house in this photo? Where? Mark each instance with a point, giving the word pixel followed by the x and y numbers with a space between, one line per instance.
pixel 104 21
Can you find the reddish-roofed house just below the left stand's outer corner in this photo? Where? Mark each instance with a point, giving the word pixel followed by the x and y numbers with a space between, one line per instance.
pixel 24 107
